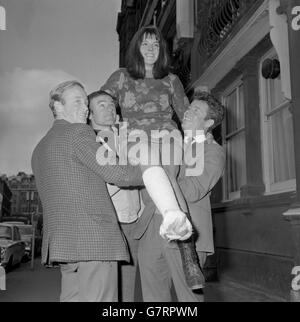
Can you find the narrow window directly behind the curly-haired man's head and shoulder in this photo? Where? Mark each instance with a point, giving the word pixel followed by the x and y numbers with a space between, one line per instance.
pixel 234 139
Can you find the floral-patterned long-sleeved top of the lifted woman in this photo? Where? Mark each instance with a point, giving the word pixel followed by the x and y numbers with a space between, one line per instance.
pixel 148 104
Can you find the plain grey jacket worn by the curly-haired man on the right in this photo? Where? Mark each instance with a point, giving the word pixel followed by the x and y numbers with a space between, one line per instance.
pixel 196 190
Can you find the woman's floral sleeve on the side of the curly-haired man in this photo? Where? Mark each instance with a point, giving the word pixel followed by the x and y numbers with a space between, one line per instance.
pixel 179 101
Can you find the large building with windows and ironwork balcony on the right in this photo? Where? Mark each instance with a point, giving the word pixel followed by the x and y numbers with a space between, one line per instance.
pixel 245 53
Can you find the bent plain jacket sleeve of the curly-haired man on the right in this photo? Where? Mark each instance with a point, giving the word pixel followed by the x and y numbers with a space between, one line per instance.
pixel 195 188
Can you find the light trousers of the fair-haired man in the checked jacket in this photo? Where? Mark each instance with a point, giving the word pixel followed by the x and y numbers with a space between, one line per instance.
pixel 91 281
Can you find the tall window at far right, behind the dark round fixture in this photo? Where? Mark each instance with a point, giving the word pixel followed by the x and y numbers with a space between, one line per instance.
pixel 278 137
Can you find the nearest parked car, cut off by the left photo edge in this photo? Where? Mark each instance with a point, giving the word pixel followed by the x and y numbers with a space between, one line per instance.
pixel 12 248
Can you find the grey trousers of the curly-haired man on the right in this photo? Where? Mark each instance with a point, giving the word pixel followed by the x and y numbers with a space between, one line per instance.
pixel 160 264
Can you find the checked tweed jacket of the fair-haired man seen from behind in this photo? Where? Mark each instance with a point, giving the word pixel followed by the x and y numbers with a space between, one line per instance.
pixel 79 219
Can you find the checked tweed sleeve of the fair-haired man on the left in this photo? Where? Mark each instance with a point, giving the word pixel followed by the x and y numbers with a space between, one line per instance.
pixel 85 149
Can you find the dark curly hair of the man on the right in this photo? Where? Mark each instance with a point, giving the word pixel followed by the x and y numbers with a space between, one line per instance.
pixel 216 110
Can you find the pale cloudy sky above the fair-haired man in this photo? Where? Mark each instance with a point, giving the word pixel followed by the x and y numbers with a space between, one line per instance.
pixel 47 42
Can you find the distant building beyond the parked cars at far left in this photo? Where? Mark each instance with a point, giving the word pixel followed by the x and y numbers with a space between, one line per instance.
pixel 25 198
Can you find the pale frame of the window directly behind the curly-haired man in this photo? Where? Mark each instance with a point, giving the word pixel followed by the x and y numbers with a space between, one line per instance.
pixel 234 194
